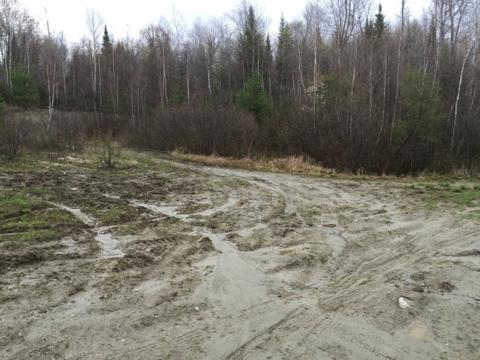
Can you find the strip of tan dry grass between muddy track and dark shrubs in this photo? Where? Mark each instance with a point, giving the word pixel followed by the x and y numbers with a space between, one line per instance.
pixel 291 164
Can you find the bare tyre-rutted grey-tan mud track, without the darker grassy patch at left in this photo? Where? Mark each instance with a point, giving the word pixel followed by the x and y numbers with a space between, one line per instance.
pixel 295 267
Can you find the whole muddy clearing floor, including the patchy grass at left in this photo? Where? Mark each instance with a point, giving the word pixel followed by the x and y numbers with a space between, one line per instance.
pixel 164 260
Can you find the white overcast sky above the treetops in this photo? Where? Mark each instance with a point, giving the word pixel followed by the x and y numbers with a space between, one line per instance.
pixel 129 16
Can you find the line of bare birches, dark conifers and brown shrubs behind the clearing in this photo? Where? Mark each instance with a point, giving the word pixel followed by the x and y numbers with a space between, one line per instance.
pixel 340 85
